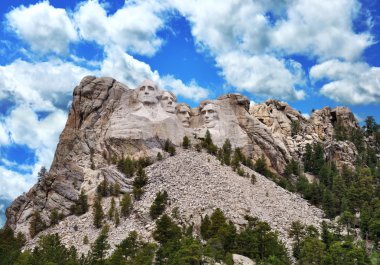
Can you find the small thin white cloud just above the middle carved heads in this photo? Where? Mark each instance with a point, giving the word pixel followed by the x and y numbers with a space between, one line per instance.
pixel 191 91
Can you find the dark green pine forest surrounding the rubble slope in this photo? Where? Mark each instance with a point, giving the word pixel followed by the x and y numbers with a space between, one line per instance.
pixel 350 196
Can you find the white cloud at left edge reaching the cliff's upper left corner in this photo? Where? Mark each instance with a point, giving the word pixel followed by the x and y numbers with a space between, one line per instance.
pixel 42 85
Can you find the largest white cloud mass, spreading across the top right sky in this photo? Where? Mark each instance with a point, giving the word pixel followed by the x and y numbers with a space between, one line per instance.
pixel 248 38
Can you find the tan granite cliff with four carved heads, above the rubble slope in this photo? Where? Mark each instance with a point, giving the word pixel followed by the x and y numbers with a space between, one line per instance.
pixel 109 121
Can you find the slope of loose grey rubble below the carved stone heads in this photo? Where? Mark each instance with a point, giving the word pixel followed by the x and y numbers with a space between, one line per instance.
pixel 197 184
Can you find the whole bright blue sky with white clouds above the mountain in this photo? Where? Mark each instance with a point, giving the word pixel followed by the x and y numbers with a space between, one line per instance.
pixel 310 53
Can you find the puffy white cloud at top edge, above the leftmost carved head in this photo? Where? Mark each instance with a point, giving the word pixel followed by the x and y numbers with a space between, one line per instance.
pixel 133 27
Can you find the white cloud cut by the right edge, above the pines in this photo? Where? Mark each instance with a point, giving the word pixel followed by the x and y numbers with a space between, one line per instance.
pixel 348 83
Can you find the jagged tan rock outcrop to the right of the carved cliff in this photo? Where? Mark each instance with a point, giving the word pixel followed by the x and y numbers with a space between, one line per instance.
pixel 294 131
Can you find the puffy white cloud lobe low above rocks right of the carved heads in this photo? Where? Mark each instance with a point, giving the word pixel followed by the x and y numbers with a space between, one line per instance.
pixel 262 75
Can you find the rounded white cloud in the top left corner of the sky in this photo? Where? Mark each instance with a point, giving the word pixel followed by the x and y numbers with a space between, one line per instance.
pixel 44 27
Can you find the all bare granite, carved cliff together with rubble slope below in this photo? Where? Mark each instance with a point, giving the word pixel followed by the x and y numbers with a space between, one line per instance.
pixel 108 121
